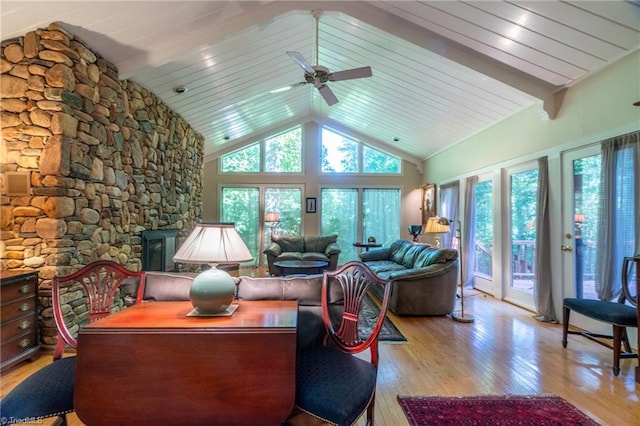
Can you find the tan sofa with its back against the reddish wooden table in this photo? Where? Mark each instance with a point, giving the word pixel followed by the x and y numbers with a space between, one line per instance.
pixel 172 286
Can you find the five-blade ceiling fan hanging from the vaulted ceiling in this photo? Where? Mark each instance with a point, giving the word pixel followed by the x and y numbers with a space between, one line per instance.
pixel 319 75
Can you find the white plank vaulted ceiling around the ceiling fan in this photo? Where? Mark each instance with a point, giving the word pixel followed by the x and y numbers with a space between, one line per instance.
pixel 442 70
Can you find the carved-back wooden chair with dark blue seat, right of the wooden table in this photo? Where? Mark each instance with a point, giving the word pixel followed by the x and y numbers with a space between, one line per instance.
pixel 331 383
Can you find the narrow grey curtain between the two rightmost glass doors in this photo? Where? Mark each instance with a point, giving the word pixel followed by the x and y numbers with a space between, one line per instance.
pixel 542 291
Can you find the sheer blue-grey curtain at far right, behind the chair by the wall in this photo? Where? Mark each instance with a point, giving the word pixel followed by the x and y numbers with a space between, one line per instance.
pixel 619 226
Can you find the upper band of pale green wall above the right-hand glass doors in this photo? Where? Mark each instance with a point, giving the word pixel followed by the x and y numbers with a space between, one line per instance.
pixel 594 109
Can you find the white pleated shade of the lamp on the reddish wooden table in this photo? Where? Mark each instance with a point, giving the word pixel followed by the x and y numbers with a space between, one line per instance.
pixel 213 243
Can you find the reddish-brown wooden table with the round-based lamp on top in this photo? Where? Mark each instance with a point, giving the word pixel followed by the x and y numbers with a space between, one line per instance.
pixel 153 364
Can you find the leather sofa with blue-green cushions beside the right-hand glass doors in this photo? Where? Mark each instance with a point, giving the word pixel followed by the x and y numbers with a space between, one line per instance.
pixel 423 279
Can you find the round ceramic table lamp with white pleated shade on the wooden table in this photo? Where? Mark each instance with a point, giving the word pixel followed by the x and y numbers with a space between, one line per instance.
pixel 213 290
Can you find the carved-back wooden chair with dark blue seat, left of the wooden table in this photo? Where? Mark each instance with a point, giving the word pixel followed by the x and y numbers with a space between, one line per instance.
pixel 49 391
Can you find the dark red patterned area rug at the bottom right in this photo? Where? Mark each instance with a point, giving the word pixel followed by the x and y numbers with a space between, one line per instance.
pixel 492 410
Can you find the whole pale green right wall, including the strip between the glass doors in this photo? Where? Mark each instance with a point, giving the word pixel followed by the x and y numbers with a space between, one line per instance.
pixel 595 109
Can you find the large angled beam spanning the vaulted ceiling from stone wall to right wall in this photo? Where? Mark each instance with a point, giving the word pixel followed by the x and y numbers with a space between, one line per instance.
pixel 242 15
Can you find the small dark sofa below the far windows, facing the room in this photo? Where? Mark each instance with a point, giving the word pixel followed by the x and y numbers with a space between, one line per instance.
pixel 287 247
